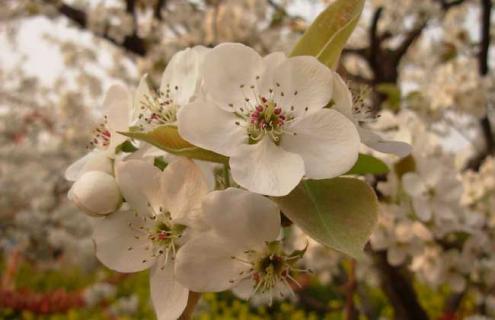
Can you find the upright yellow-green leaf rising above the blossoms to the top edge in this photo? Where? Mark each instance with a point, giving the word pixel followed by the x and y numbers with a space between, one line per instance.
pixel 326 37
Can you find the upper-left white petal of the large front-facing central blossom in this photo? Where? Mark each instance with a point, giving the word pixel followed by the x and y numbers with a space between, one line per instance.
pixel 229 71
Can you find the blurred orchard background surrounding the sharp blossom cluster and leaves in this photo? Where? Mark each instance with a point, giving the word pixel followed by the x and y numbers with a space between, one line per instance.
pixel 424 65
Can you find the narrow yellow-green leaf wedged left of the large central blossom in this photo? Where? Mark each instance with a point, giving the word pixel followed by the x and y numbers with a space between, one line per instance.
pixel 168 139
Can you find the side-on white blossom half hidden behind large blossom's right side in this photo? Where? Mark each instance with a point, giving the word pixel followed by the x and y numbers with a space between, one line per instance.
pixel 355 110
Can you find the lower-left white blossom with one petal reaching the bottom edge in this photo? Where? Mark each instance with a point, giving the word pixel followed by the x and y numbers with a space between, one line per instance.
pixel 163 213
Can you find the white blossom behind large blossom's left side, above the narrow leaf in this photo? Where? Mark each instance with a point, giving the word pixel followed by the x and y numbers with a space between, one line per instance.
pixel 179 84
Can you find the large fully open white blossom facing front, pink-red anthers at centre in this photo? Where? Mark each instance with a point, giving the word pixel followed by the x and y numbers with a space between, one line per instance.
pixel 267 114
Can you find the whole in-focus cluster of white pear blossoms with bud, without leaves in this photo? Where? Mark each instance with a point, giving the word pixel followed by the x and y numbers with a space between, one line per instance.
pixel 279 120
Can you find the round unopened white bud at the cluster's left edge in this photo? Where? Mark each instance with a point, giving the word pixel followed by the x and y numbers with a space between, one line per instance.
pixel 96 193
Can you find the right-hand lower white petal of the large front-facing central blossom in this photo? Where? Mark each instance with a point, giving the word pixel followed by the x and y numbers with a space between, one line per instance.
pixel 327 141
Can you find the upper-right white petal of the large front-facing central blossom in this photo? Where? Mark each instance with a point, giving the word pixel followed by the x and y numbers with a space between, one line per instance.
pixel 303 83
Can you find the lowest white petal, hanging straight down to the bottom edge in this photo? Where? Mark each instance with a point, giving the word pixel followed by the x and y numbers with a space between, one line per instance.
pixel 169 297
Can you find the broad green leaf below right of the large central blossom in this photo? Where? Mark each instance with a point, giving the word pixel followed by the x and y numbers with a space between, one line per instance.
pixel 339 213
